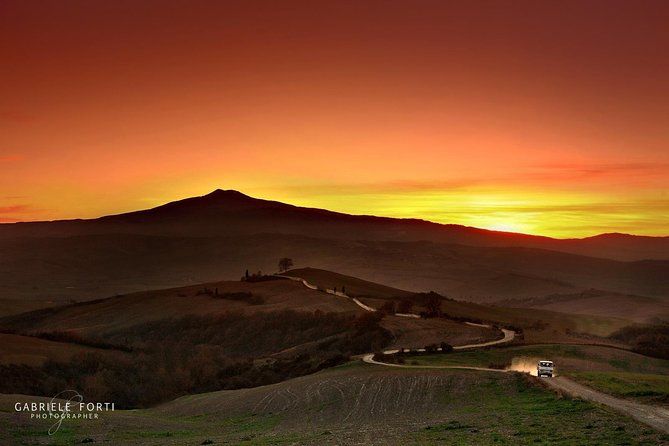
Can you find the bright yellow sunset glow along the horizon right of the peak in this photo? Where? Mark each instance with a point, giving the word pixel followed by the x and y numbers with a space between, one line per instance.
pixel 562 215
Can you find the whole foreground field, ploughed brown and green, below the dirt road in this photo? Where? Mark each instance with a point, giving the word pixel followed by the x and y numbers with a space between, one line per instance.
pixel 356 404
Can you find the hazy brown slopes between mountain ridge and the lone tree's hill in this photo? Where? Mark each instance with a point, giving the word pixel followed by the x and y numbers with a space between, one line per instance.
pixel 62 269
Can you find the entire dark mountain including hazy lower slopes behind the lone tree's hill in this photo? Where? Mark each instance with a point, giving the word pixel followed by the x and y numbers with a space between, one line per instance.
pixel 220 235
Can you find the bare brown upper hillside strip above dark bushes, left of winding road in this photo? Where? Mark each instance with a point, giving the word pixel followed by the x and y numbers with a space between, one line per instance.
pixel 121 312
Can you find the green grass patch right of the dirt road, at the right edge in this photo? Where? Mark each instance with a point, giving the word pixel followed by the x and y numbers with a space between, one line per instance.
pixel 643 387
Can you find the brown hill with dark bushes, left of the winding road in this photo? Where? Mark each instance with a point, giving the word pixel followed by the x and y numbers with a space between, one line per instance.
pixel 222 335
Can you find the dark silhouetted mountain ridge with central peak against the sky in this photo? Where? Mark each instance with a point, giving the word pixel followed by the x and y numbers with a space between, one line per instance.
pixel 230 213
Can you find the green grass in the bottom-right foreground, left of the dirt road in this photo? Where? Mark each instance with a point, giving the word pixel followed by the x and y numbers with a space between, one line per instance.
pixel 513 412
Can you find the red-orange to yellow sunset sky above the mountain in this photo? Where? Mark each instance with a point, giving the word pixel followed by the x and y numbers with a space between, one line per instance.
pixel 544 117
